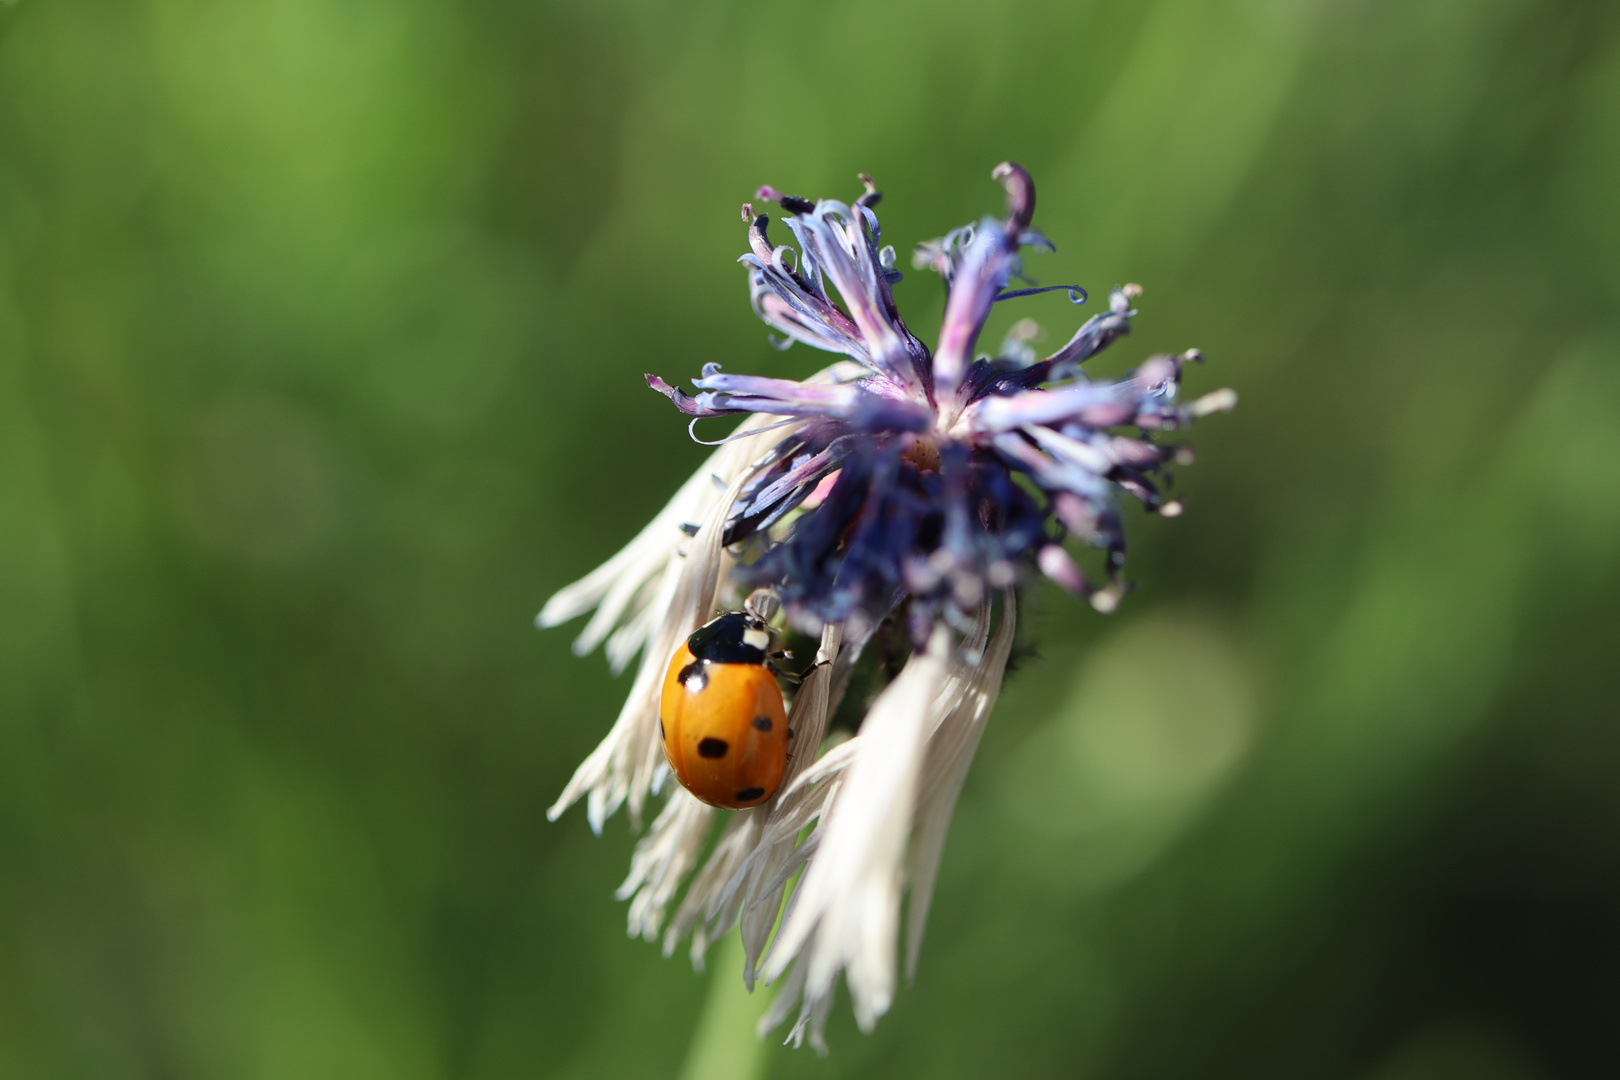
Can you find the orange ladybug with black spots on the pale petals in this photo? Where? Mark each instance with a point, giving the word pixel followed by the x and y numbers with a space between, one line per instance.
pixel 722 715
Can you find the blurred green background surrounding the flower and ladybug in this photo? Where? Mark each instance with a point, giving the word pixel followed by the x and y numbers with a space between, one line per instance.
pixel 322 341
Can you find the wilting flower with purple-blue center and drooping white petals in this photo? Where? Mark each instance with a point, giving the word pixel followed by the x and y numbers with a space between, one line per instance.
pixel 898 487
